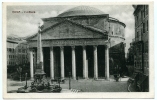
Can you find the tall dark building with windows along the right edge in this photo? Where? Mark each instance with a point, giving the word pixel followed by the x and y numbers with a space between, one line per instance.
pixel 141 44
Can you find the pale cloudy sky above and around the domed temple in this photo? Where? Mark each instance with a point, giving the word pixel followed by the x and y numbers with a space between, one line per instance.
pixel 26 24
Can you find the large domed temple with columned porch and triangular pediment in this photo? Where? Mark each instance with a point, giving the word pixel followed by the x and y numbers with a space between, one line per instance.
pixel 82 40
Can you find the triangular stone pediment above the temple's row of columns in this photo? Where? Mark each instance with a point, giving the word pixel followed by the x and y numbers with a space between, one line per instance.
pixel 70 30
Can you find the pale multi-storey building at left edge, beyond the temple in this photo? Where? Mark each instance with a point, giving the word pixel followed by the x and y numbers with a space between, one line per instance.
pixel 17 51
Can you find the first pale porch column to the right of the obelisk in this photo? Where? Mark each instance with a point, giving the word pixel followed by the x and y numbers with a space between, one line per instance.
pixel 51 63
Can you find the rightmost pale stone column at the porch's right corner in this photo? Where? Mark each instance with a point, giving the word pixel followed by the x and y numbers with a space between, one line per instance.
pixel 107 63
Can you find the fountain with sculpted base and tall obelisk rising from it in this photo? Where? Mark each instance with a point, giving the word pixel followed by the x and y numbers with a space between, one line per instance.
pixel 40 84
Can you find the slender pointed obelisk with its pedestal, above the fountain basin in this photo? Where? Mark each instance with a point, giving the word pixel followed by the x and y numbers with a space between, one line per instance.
pixel 39 69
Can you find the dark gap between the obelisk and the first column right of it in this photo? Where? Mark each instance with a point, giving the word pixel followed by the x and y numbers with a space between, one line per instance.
pixel 46 59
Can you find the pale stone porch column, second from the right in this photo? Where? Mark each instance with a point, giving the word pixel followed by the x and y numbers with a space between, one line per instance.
pixel 95 63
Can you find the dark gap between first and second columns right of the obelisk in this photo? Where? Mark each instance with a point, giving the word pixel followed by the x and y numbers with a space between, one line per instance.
pixel 57 69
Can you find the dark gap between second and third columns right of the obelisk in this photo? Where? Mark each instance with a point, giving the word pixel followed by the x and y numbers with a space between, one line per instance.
pixel 67 60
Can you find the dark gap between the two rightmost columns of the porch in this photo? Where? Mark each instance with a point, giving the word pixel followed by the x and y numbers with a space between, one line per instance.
pixel 101 60
